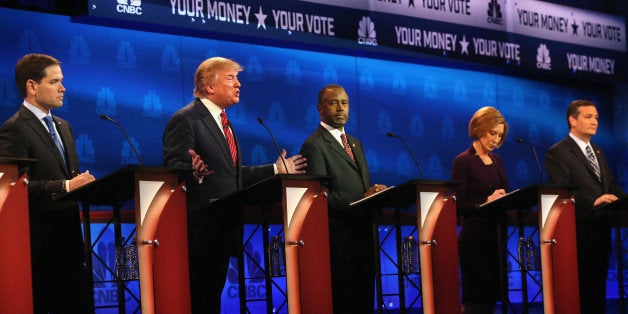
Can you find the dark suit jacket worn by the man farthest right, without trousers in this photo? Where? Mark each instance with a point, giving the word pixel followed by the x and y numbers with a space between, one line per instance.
pixel 565 163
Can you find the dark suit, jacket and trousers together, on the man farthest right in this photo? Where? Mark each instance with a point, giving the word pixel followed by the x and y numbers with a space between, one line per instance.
pixel 565 163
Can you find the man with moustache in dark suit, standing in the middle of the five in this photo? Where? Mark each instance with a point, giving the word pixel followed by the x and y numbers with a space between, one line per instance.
pixel 350 232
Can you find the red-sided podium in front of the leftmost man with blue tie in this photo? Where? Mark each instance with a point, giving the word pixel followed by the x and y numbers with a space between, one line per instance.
pixel 161 228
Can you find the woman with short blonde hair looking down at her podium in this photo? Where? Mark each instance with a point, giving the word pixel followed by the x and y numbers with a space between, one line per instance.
pixel 482 179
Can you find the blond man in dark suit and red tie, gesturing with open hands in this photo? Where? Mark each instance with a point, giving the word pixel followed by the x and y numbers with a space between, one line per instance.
pixel 199 136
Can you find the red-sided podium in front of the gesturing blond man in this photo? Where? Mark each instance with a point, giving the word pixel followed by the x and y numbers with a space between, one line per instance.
pixel 306 234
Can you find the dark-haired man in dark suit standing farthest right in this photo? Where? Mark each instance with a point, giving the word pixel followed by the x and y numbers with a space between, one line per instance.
pixel 578 162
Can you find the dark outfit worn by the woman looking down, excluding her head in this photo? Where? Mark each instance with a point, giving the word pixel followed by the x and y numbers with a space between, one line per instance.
pixel 478 237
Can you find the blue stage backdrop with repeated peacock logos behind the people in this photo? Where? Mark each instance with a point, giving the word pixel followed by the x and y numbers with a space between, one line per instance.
pixel 140 78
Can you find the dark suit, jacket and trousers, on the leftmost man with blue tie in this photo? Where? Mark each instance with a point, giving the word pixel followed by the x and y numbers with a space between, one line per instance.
pixel 56 238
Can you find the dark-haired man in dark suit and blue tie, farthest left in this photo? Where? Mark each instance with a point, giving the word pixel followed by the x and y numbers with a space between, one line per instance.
pixel 60 280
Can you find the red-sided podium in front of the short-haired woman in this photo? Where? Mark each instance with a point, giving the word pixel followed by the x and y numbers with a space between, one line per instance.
pixel 557 234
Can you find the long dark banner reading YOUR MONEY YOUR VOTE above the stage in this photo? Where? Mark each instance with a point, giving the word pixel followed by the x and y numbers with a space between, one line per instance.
pixel 529 36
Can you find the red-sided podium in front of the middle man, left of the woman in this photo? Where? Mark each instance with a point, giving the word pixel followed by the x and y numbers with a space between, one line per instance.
pixel 438 242
